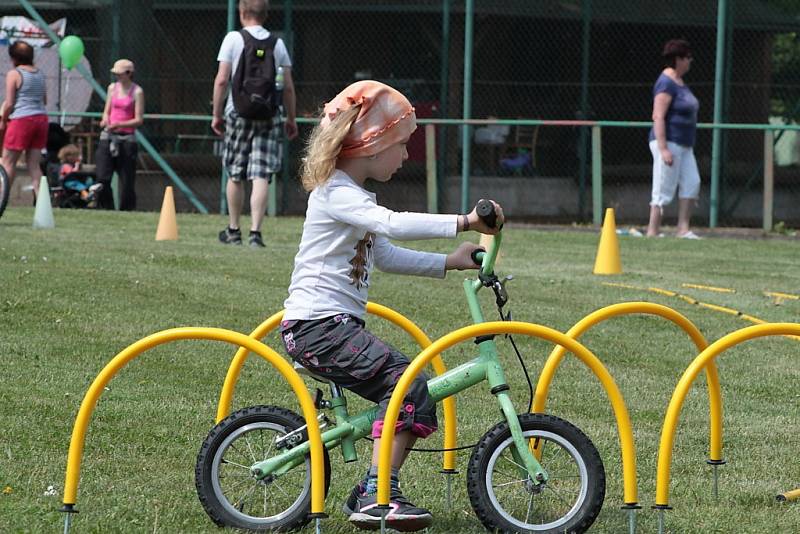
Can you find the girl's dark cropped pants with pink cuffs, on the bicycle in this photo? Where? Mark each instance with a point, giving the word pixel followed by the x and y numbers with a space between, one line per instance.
pixel 340 349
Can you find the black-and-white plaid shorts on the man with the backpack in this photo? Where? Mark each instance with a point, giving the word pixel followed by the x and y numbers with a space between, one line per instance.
pixel 253 148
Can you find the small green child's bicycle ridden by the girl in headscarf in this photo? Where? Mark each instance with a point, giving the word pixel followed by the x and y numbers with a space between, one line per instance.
pixel 528 473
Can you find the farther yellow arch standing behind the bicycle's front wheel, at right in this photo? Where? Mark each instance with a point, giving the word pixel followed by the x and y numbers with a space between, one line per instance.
pixel 625 308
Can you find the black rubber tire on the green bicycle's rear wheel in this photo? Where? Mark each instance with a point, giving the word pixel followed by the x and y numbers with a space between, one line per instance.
pixel 203 469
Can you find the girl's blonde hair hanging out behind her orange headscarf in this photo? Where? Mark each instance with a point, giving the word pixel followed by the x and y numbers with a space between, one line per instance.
pixel 323 147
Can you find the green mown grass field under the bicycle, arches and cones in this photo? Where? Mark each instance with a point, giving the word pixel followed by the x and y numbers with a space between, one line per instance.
pixel 71 298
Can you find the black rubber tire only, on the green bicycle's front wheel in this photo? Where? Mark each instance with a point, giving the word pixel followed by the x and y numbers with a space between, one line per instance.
pixel 497 436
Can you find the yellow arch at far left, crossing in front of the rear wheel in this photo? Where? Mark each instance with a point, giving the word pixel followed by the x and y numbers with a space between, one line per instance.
pixel 217 334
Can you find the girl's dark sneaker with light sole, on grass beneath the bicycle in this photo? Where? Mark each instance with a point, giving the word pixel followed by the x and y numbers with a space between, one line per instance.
pixel 402 514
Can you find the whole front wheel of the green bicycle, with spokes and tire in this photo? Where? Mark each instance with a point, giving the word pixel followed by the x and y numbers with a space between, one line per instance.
pixel 506 499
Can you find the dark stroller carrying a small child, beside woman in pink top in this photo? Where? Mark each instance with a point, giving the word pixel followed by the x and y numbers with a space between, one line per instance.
pixel 76 189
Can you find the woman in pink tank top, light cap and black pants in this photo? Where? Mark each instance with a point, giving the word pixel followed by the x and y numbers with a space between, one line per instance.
pixel 117 150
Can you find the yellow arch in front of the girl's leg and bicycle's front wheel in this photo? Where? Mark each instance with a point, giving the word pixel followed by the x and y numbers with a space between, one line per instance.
pixel 509 327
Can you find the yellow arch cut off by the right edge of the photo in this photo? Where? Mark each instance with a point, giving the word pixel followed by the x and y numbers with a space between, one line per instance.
pixel 682 389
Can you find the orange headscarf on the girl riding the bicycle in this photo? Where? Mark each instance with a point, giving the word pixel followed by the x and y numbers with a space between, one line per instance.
pixel 386 118
